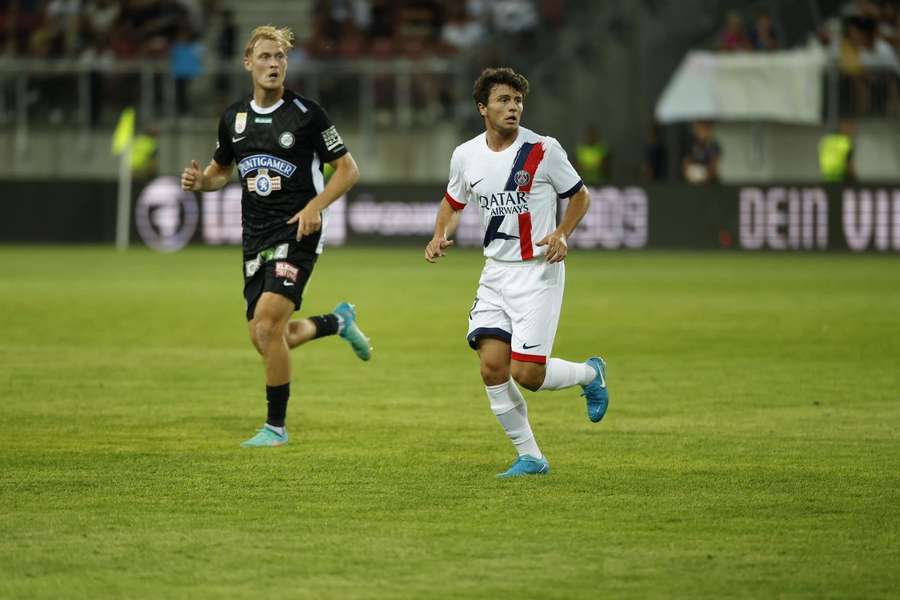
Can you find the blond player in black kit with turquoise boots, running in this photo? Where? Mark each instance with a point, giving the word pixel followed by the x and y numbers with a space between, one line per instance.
pixel 280 142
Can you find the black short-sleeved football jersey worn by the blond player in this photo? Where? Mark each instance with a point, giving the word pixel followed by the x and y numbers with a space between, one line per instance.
pixel 279 152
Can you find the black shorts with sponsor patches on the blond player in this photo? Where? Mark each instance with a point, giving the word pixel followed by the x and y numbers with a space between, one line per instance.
pixel 282 269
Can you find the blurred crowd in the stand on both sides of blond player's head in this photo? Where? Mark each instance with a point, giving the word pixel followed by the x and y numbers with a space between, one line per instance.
pixel 341 28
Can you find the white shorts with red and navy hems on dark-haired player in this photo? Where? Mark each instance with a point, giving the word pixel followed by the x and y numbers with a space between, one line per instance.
pixel 519 303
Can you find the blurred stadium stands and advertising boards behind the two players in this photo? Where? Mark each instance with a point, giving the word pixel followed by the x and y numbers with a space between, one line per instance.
pixel 698 123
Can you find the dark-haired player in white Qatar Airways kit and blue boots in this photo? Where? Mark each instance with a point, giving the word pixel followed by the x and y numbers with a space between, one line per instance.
pixel 515 177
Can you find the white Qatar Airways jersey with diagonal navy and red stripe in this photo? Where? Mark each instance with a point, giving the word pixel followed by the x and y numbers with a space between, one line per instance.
pixel 516 189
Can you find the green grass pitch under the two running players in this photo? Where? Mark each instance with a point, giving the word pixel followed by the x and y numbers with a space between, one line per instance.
pixel 751 449
